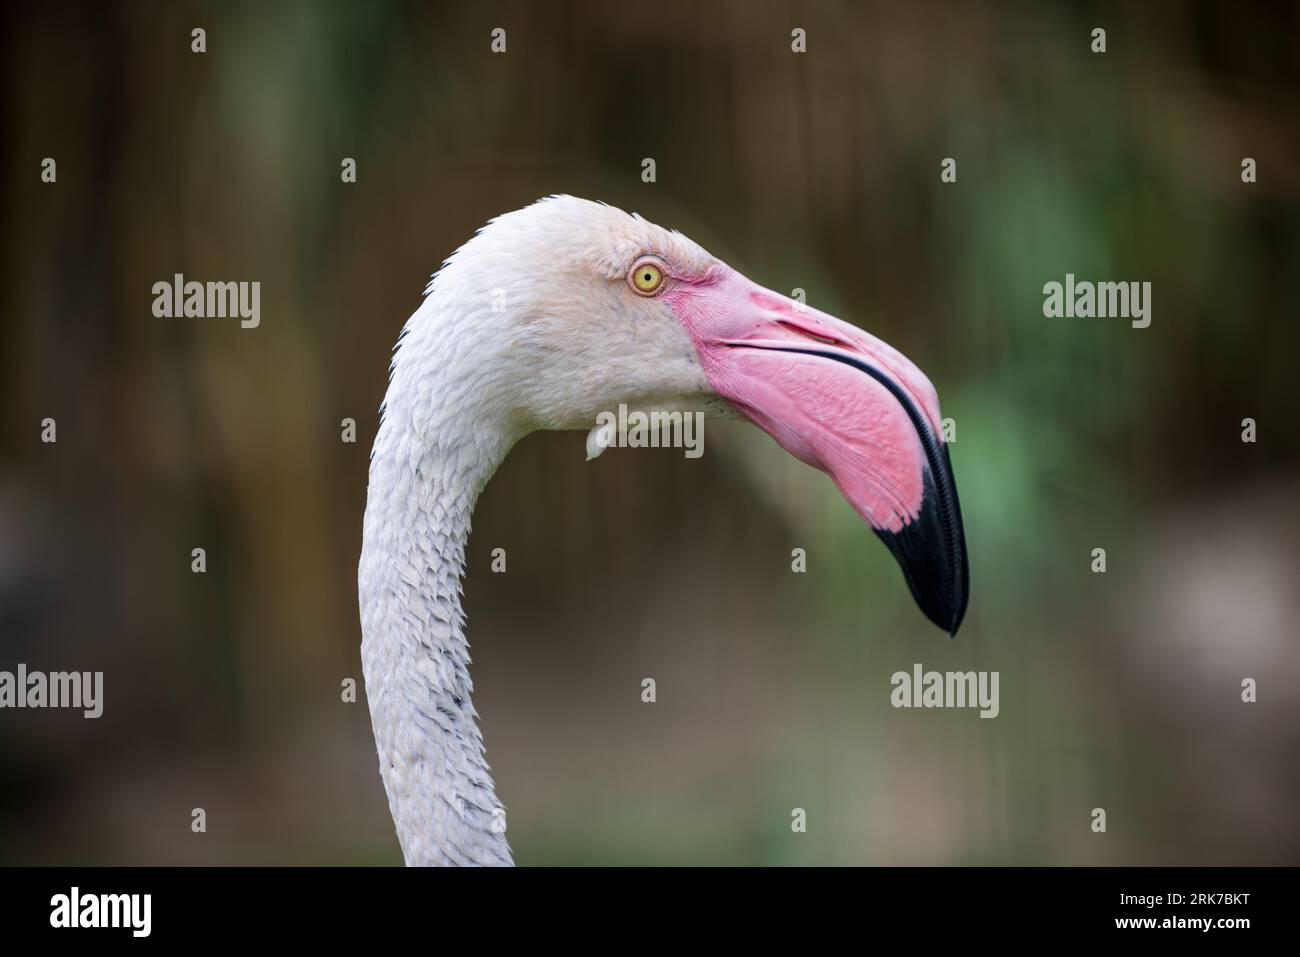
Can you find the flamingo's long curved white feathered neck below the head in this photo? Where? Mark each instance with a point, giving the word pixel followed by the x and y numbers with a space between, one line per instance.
pixel 427 471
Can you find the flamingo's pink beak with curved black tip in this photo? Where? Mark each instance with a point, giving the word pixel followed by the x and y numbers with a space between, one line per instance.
pixel 850 405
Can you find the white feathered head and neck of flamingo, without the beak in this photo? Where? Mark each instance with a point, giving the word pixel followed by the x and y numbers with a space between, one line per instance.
pixel 528 326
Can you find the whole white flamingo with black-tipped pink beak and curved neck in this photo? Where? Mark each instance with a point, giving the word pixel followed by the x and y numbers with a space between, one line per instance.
pixel 543 321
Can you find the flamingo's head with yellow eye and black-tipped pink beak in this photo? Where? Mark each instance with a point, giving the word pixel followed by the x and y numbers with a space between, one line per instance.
pixel 600 309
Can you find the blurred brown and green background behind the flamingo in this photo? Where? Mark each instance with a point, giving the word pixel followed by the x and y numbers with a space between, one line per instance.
pixel 816 171
